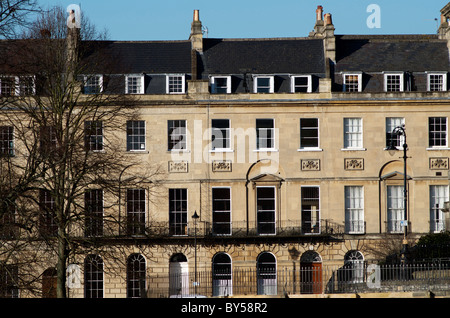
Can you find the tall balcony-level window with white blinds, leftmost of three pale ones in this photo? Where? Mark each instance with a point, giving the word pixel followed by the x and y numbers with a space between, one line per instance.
pixel 354 209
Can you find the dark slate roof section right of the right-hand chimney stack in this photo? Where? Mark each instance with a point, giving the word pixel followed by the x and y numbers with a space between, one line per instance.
pixel 414 53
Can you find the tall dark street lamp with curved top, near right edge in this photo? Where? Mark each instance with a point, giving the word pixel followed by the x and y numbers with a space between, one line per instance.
pixel 400 131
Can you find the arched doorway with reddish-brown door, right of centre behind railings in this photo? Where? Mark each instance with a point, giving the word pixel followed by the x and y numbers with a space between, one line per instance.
pixel 310 273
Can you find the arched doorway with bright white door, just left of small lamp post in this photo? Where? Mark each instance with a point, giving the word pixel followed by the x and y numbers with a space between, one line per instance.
pixel 178 275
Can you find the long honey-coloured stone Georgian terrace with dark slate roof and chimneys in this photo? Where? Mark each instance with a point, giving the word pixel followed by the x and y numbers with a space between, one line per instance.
pixel 280 147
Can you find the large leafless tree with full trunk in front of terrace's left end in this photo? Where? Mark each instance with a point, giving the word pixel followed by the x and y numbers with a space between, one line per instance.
pixel 69 129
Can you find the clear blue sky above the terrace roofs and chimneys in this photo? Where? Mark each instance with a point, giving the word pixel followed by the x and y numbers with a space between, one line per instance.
pixel 170 19
